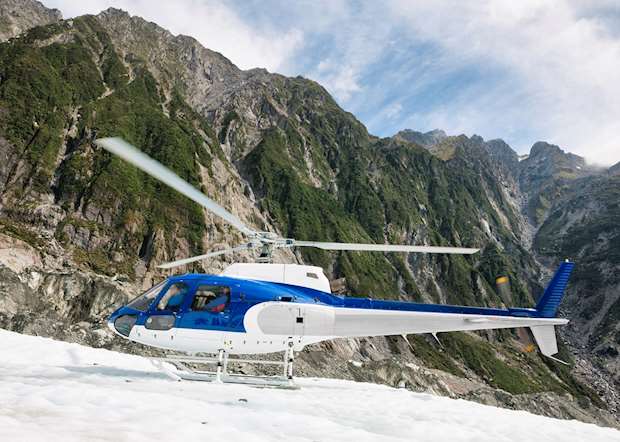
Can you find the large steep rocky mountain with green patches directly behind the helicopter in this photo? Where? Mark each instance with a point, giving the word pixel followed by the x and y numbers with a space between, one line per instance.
pixel 82 231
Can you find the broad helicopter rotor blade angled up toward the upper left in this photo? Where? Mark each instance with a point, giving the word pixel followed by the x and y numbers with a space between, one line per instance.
pixel 129 153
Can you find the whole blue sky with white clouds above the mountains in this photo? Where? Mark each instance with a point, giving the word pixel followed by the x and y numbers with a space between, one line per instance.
pixel 522 71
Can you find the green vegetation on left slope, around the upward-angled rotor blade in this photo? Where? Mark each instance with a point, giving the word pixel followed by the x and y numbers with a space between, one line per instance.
pixel 44 86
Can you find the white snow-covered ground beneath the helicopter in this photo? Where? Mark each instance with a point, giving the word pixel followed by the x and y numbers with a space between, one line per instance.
pixel 58 391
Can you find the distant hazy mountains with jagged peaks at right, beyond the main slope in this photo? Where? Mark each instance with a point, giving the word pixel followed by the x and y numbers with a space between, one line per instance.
pixel 571 211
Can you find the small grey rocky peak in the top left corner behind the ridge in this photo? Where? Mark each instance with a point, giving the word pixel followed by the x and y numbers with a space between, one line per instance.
pixel 17 16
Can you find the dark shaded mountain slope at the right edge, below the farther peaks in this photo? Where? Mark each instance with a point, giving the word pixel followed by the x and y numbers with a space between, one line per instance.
pixel 584 225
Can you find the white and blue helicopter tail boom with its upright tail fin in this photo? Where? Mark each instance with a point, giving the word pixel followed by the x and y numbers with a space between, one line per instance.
pixel 358 317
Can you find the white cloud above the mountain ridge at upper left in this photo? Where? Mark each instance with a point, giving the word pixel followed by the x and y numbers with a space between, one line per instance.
pixel 212 22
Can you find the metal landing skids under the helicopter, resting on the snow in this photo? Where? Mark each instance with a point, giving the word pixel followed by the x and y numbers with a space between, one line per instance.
pixel 183 371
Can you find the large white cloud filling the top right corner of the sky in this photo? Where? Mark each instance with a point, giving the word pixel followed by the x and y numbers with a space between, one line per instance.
pixel 564 68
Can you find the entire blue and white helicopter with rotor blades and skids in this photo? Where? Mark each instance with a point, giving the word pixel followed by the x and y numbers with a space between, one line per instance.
pixel 262 307
